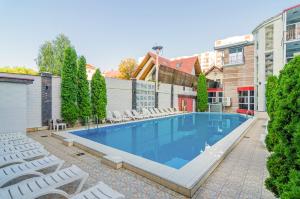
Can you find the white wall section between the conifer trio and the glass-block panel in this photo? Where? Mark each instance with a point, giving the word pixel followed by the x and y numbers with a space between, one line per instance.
pixel 119 94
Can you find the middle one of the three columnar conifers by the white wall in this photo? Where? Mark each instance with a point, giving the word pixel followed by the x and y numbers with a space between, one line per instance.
pixel 83 97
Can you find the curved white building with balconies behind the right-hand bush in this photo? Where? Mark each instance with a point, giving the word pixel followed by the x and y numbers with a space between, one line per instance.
pixel 276 40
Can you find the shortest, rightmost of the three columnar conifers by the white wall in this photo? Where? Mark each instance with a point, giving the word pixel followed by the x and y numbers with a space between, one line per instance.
pixel 98 95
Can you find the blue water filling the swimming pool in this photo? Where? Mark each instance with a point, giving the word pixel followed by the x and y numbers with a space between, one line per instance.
pixel 172 141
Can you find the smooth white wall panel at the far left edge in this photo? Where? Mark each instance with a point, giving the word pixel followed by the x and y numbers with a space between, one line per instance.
pixel 13 103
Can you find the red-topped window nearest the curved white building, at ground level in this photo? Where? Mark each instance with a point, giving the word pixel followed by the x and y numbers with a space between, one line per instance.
pixel 246 98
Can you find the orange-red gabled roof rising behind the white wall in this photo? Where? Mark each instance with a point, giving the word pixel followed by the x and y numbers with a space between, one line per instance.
pixel 183 64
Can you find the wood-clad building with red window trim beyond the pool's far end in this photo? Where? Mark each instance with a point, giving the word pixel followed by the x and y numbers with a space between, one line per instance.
pixel 238 74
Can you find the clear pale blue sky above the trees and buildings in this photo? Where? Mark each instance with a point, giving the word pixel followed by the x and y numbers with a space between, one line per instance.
pixel 107 31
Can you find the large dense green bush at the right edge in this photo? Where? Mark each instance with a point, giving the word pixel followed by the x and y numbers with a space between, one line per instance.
pixel 284 132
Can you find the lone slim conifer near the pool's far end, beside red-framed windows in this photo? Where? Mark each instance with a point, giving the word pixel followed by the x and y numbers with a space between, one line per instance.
pixel 202 96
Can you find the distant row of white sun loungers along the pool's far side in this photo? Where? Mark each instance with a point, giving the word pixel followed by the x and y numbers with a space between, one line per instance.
pixel 128 115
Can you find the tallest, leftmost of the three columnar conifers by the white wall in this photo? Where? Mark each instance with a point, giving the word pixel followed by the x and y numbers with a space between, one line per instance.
pixel 69 109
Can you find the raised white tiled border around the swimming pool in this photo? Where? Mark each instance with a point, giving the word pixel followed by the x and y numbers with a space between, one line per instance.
pixel 185 180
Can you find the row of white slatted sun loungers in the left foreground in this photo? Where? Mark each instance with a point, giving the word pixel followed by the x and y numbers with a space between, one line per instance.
pixel 28 171
